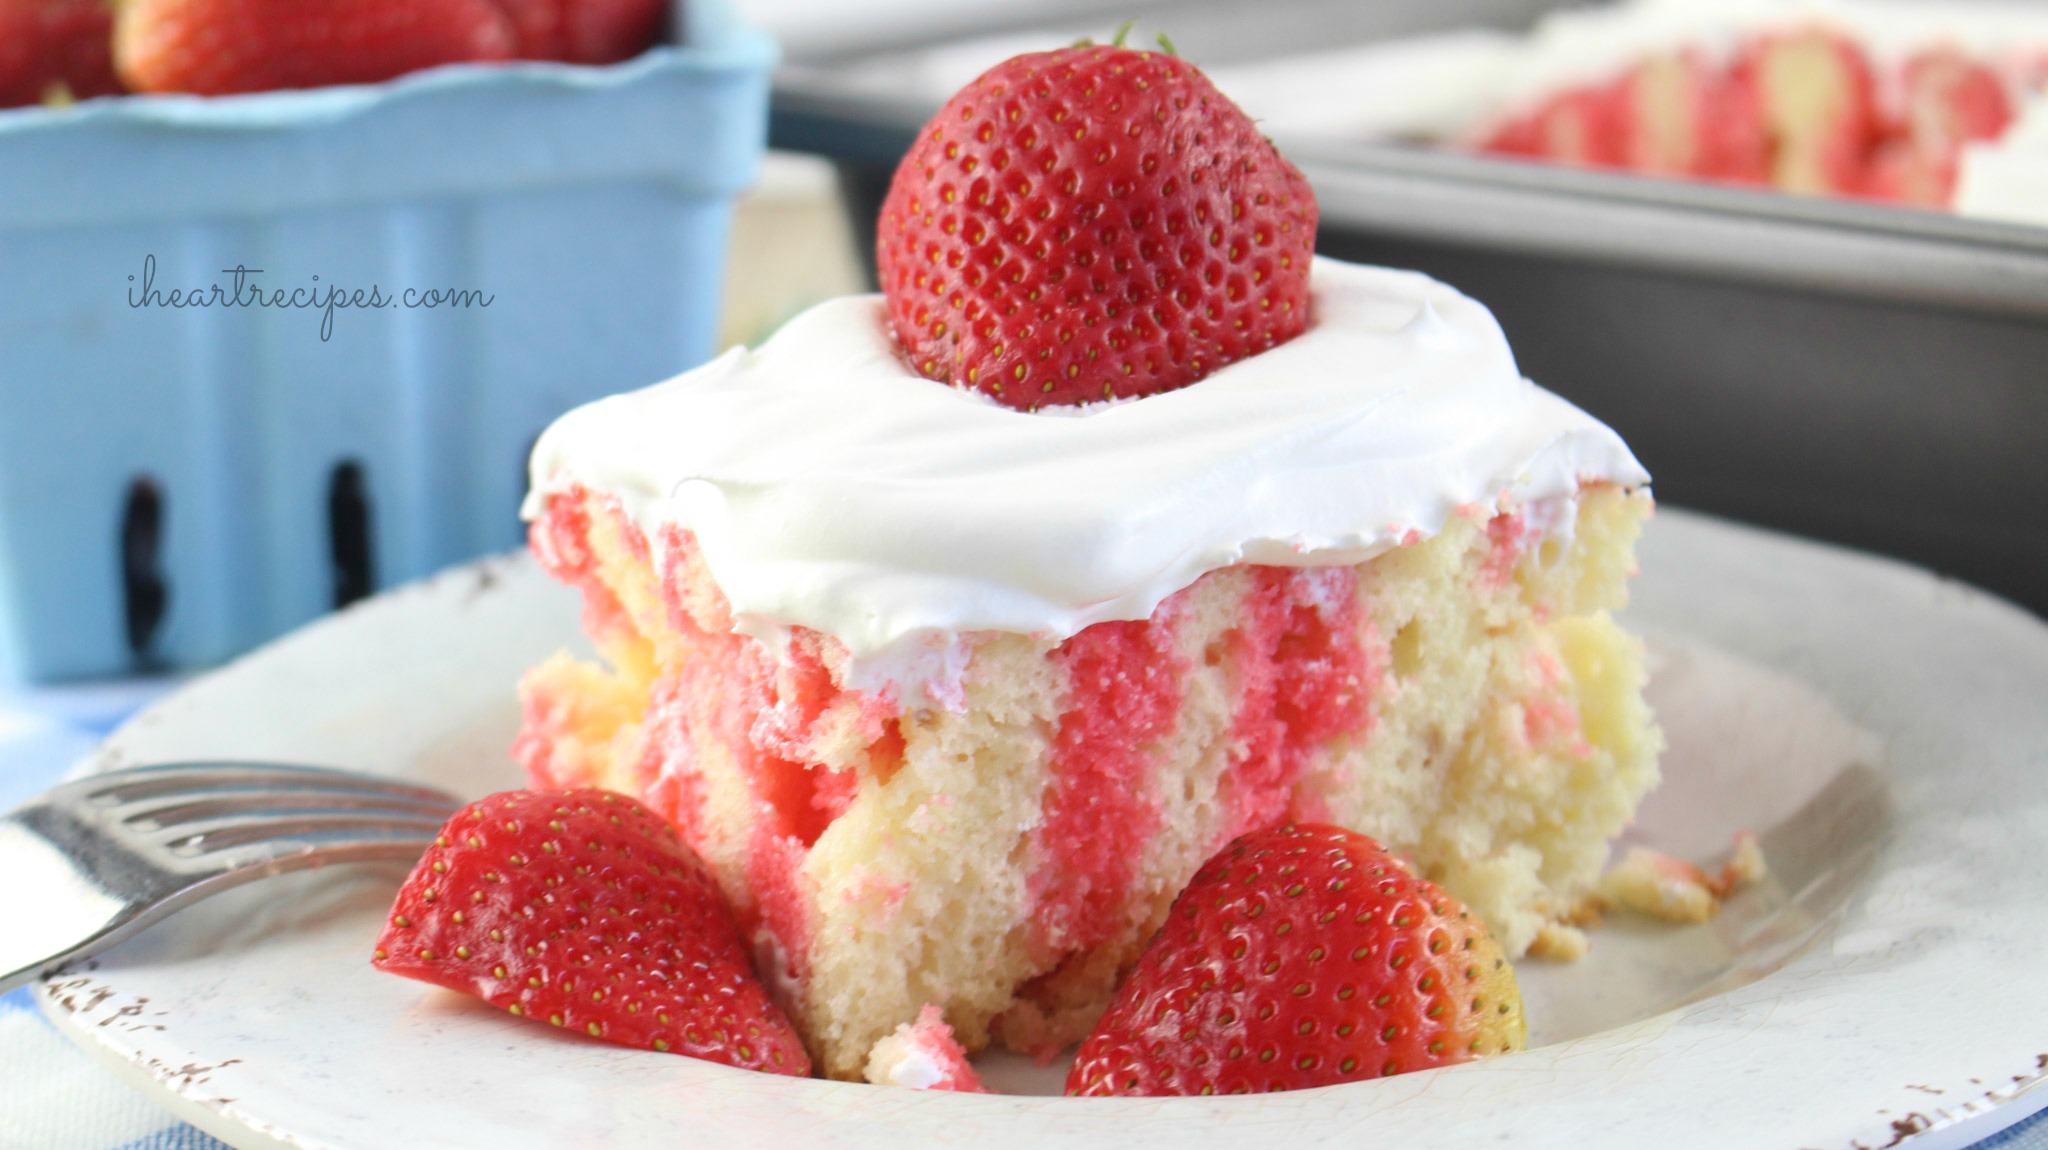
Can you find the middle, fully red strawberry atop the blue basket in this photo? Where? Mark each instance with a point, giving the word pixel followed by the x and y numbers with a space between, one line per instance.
pixel 218 48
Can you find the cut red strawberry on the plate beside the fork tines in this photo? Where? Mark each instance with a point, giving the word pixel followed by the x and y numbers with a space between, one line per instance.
pixel 587 912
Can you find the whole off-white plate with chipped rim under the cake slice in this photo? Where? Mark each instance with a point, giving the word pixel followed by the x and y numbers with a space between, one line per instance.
pixel 1883 729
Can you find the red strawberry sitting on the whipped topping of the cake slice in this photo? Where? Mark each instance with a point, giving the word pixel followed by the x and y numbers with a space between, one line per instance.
pixel 1093 224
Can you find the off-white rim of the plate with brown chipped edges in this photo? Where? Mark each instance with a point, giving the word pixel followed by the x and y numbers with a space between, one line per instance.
pixel 1920 1020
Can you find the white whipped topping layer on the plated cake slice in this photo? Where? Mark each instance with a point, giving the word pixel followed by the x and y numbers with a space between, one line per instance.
pixel 833 488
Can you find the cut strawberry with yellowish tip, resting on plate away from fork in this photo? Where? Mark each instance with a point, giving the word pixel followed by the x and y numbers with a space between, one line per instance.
pixel 1304 957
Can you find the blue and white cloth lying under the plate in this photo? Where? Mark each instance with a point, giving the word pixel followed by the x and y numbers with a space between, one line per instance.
pixel 52 1096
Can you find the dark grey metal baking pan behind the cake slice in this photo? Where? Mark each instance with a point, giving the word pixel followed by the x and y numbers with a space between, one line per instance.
pixel 1857 373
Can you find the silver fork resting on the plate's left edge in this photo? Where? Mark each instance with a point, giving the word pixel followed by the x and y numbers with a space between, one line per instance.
pixel 95 860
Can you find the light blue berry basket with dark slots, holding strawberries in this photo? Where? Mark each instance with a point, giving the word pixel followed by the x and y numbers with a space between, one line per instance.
pixel 181 482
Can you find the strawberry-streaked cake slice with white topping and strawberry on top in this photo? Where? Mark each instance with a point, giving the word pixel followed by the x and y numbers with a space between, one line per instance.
pixel 957 627
